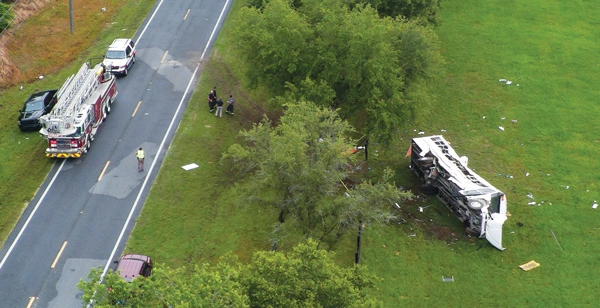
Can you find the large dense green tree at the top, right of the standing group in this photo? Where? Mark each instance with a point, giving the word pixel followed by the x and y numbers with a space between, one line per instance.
pixel 364 64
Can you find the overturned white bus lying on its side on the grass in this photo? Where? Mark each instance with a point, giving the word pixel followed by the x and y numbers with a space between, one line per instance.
pixel 478 204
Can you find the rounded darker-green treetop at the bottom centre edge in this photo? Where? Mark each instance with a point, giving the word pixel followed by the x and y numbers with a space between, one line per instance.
pixel 305 277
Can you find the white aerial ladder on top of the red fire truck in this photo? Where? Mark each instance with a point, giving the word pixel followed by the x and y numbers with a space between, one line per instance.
pixel 74 92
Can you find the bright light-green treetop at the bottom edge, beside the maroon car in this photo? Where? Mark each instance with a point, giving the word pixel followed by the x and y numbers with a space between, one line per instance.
pixel 199 286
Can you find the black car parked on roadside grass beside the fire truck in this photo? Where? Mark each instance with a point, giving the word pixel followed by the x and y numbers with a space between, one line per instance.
pixel 37 105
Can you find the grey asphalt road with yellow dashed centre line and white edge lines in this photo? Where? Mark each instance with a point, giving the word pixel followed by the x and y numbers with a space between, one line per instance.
pixel 83 214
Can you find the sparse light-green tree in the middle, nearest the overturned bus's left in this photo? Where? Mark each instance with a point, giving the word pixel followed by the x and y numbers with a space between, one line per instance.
pixel 300 167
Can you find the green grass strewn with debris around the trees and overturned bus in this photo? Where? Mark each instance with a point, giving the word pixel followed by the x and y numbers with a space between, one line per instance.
pixel 547 47
